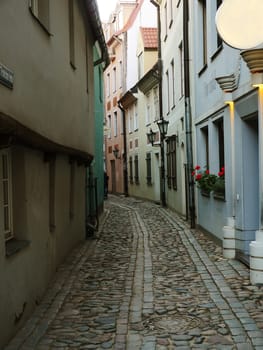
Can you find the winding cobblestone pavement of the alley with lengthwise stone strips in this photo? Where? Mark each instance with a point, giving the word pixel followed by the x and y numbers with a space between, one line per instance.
pixel 147 281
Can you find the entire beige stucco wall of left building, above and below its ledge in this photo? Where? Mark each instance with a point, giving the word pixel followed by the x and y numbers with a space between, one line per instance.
pixel 51 98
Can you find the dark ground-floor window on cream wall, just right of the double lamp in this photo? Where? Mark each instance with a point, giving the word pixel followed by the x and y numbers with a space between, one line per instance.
pixel 171 162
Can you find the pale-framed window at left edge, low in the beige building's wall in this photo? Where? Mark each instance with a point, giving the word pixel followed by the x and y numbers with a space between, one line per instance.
pixel 7 194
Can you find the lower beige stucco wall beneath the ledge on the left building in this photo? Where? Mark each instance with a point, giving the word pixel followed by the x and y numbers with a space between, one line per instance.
pixel 26 274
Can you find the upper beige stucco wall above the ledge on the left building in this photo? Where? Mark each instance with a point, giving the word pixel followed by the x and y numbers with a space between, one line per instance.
pixel 61 108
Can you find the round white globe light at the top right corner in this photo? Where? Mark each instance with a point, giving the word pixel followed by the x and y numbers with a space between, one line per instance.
pixel 240 24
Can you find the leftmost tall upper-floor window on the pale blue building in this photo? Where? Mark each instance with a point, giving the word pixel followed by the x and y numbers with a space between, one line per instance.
pixel 203 32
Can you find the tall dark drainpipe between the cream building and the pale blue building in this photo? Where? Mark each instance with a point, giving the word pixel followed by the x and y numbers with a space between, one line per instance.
pixel 188 119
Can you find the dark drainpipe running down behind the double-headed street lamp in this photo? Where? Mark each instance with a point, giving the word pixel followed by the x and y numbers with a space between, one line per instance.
pixel 160 69
